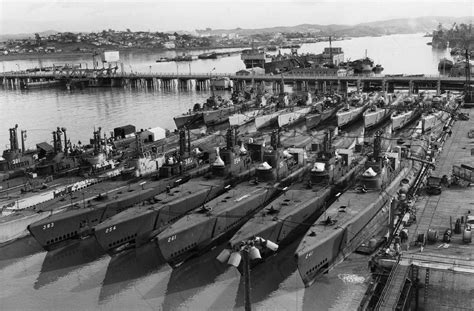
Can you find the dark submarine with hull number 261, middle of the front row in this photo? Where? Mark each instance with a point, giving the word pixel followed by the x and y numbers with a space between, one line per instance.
pixel 221 217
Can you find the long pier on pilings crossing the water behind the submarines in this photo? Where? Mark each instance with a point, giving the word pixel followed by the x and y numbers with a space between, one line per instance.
pixel 303 82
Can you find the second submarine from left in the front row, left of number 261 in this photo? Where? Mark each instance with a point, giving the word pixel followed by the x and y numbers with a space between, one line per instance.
pixel 138 225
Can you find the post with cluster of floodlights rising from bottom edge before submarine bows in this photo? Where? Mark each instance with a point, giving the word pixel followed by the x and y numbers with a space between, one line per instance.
pixel 247 250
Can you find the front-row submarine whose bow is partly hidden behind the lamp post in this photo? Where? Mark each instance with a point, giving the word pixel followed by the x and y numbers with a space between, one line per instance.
pixel 289 215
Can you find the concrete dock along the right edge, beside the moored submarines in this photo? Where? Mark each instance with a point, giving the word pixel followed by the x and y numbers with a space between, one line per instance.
pixel 441 274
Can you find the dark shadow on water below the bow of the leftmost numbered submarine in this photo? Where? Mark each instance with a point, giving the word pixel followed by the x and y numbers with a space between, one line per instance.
pixel 61 262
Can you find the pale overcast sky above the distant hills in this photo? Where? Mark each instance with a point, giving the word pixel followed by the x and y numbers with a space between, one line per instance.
pixel 28 16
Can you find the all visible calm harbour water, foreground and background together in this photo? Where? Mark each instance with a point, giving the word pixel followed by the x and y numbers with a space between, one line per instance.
pixel 81 277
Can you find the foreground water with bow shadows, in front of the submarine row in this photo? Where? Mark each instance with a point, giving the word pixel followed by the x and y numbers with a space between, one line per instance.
pixel 81 277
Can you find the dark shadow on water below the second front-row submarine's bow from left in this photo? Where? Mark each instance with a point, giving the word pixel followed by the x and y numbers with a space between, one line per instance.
pixel 127 268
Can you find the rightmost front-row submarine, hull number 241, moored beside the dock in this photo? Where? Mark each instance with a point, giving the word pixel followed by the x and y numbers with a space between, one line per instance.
pixel 338 227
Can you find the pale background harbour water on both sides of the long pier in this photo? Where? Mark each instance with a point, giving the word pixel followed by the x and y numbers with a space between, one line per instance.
pixel 80 111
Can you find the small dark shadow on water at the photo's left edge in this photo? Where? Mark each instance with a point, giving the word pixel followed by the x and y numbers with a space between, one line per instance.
pixel 17 250
